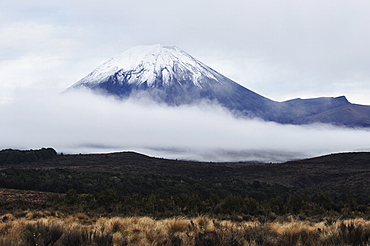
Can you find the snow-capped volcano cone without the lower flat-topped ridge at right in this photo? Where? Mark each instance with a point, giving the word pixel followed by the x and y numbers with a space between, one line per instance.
pixel 168 74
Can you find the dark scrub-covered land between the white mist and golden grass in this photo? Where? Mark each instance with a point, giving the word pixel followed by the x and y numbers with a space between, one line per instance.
pixel 133 184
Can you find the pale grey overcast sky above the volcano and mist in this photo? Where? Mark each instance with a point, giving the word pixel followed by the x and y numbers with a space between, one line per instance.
pixel 280 49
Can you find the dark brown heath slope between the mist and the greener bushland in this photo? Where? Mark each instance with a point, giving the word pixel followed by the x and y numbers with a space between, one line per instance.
pixel 349 172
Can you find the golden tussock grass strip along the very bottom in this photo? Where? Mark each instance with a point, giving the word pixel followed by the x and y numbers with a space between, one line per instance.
pixel 45 228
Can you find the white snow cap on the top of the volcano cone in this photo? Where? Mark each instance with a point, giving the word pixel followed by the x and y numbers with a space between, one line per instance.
pixel 147 63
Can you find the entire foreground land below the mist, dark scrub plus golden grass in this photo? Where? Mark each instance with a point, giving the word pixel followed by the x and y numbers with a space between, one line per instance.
pixel 131 199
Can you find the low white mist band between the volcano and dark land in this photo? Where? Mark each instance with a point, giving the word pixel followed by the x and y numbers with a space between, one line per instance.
pixel 82 122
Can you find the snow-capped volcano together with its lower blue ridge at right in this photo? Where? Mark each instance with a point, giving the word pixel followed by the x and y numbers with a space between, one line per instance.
pixel 167 74
